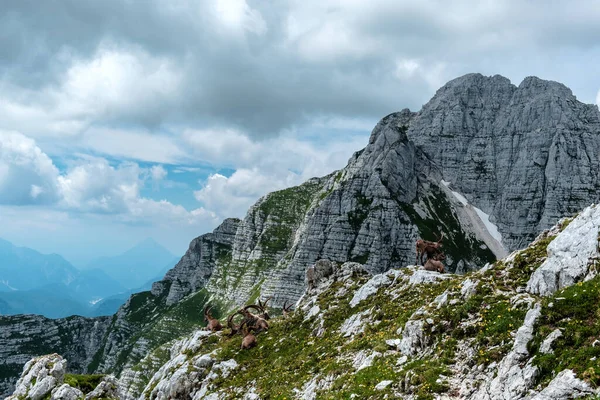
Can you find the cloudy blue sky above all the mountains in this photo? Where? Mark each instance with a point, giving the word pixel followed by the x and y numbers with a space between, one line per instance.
pixel 121 120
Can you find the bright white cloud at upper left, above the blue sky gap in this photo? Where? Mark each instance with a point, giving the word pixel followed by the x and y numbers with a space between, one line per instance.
pixel 113 84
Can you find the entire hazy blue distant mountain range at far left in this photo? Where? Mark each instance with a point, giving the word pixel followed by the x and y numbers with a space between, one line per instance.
pixel 47 284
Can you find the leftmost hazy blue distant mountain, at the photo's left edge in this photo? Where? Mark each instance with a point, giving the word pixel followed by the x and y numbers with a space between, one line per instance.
pixel 22 268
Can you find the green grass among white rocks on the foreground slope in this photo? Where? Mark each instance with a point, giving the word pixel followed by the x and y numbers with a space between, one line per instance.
pixel 289 355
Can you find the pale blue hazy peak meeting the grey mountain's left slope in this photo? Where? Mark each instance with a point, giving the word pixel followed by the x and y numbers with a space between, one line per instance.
pixel 136 266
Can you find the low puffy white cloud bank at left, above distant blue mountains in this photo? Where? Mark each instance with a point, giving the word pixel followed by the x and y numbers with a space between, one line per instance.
pixel 90 185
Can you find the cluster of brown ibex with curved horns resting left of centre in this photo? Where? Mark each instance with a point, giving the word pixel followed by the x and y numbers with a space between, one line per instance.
pixel 251 324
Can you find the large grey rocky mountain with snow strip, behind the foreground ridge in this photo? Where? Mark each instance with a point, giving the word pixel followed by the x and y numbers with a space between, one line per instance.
pixel 399 188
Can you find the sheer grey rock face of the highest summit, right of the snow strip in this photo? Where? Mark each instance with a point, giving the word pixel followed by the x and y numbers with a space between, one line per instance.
pixel 526 155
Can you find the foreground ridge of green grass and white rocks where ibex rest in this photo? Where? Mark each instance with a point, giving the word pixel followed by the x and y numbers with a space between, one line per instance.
pixel 521 328
